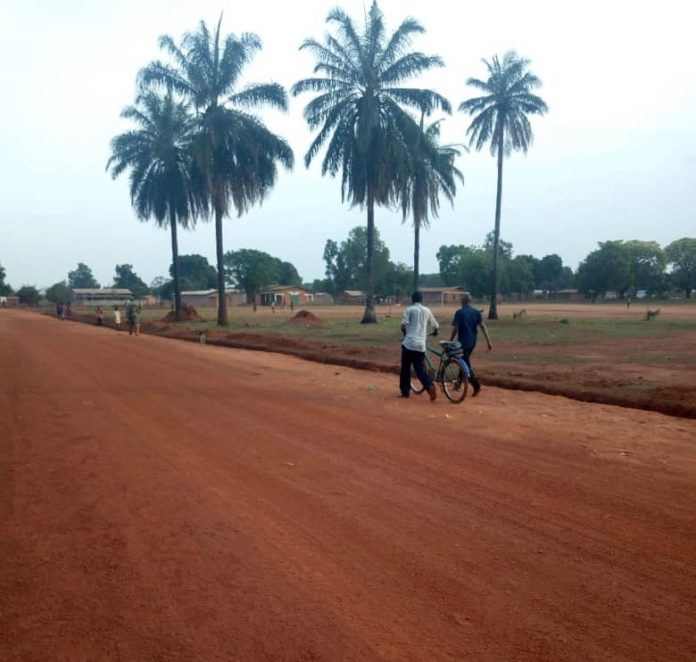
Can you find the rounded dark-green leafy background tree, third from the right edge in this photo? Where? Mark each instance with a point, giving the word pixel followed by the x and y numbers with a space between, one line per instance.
pixel 607 269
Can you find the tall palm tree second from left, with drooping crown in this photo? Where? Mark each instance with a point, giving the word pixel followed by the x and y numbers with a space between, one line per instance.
pixel 236 156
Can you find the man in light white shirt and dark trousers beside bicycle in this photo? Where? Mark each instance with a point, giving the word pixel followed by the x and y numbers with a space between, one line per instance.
pixel 414 326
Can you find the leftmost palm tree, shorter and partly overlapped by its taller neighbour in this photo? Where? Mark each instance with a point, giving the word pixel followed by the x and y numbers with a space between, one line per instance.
pixel 158 154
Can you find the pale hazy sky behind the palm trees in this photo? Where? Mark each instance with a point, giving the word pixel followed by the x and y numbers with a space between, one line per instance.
pixel 614 158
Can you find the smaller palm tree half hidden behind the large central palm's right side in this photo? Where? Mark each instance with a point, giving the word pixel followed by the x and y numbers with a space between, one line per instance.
pixel 430 171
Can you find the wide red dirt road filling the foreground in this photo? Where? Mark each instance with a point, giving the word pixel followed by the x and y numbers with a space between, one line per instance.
pixel 162 500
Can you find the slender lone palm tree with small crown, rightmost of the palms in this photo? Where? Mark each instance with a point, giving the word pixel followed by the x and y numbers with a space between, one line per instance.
pixel 501 118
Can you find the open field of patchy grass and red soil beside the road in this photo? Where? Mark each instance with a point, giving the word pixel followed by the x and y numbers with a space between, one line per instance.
pixel 598 353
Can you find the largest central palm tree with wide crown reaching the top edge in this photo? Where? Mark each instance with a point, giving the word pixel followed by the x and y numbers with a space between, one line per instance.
pixel 360 113
